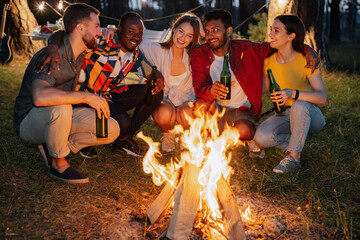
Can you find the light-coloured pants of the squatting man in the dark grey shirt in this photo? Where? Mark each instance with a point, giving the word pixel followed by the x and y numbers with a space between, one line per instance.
pixel 64 128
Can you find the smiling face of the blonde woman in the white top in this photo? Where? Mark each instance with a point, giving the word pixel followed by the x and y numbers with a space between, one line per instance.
pixel 183 35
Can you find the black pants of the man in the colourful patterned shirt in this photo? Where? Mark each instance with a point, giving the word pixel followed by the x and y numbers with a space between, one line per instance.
pixel 125 101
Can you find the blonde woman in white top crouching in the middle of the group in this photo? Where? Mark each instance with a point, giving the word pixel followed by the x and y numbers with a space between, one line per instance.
pixel 172 60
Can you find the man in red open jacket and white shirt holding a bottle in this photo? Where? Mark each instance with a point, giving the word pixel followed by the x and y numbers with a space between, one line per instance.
pixel 246 67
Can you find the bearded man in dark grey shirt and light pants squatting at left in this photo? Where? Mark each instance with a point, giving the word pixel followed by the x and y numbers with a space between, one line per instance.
pixel 43 111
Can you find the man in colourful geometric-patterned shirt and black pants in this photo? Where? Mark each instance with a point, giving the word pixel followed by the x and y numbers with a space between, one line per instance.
pixel 107 66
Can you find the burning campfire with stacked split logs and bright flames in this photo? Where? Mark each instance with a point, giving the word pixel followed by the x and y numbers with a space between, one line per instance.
pixel 196 185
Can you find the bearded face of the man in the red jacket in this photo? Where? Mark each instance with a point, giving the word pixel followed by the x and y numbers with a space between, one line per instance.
pixel 216 35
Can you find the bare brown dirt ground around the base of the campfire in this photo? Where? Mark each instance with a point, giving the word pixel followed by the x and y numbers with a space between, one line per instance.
pixel 113 220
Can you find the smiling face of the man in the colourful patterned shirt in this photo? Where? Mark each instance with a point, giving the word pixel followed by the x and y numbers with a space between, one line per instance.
pixel 130 34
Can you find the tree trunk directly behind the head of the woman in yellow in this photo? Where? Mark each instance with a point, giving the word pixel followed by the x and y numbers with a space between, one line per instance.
pixel 311 13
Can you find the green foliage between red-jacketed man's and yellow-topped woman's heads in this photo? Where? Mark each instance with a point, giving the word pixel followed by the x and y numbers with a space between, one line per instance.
pixel 257 32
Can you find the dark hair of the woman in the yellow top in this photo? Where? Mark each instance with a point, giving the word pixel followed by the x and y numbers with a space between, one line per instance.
pixel 293 24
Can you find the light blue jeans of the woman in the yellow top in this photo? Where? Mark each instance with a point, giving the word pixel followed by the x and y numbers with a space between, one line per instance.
pixel 289 131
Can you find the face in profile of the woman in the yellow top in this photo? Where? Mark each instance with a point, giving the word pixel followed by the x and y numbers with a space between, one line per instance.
pixel 279 38
